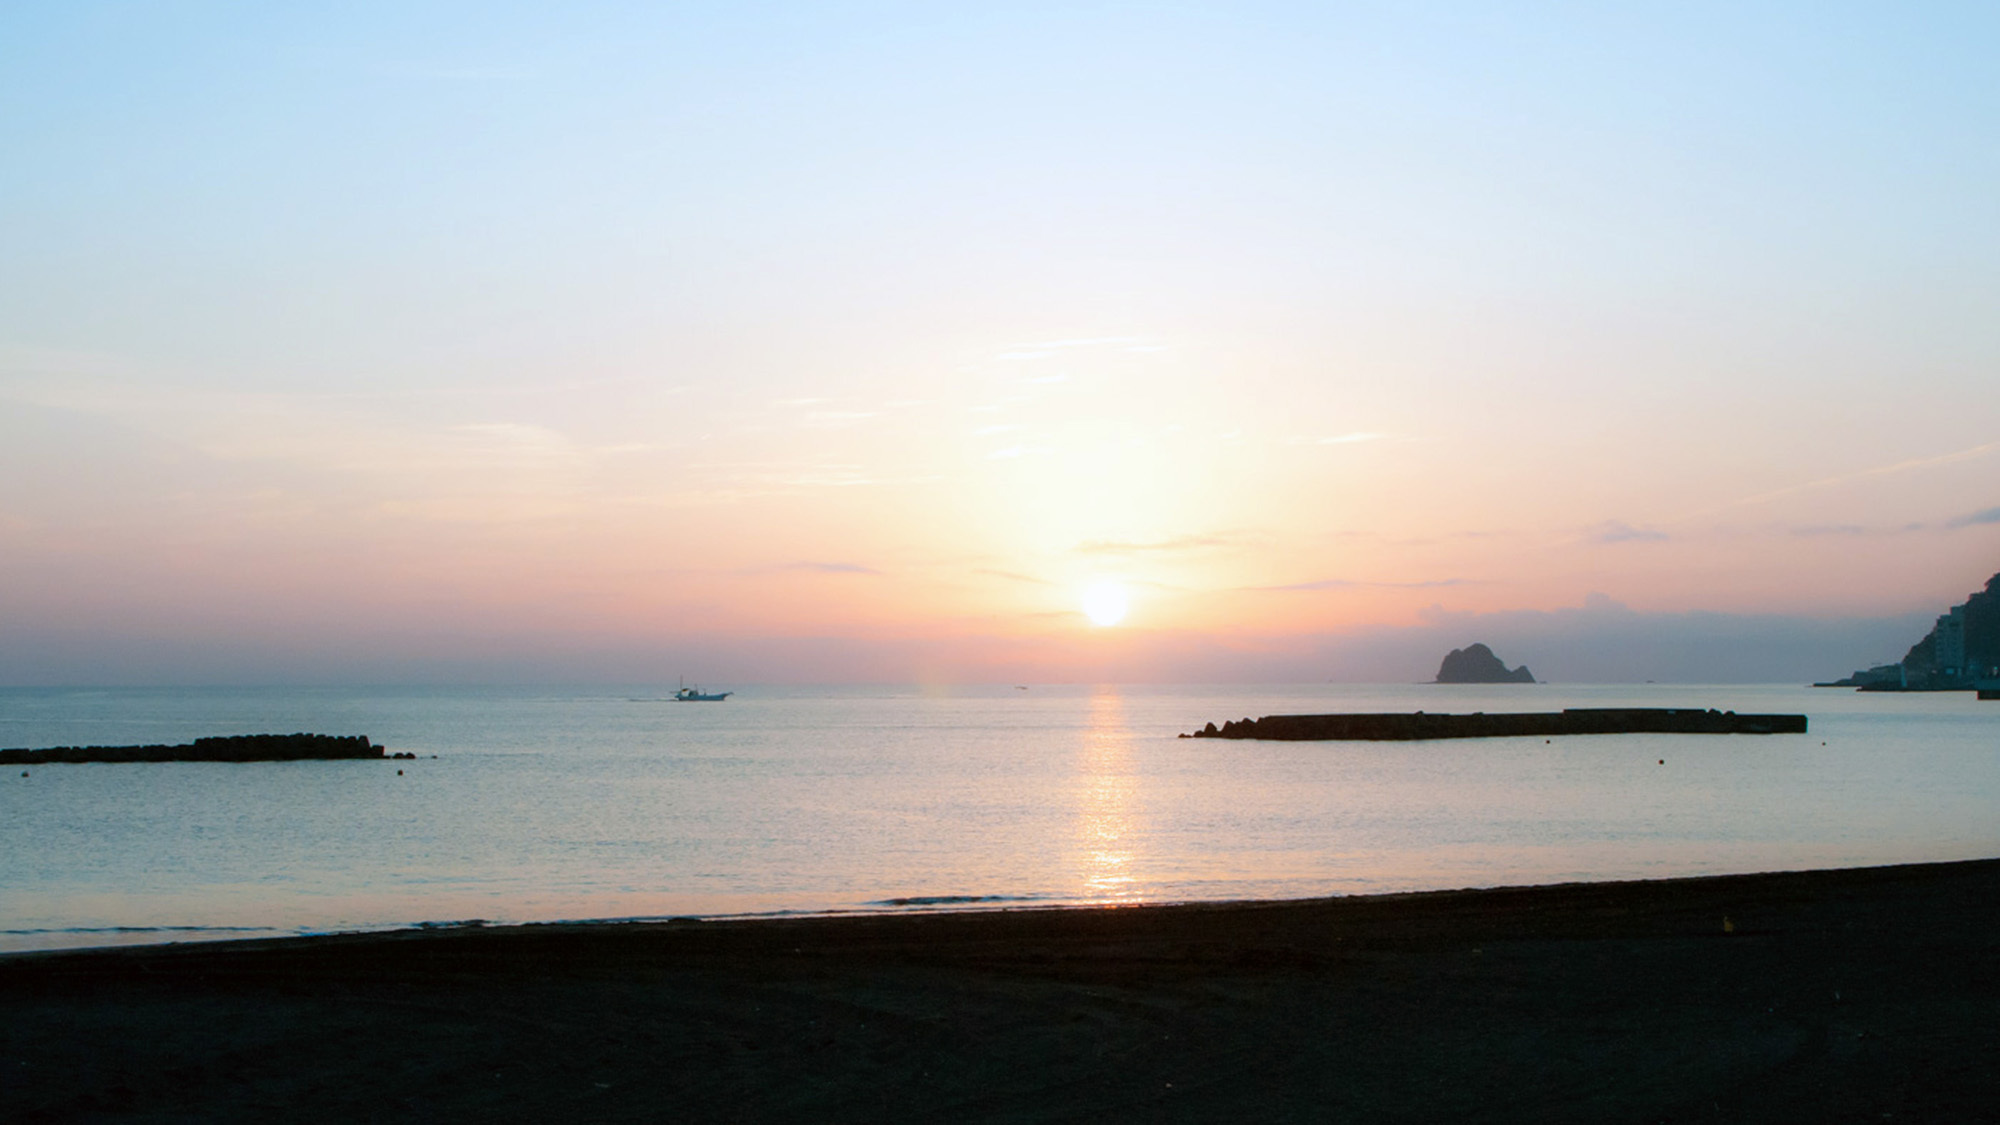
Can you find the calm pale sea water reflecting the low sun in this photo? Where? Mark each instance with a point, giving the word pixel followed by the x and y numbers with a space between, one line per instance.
pixel 535 806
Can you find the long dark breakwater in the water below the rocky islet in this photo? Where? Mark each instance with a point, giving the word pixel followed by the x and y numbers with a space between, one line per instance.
pixel 1397 728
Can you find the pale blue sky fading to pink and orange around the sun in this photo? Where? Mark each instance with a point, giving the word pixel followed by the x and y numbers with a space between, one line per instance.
pixel 817 343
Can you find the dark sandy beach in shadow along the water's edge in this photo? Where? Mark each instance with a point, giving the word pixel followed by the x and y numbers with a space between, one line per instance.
pixel 1841 996
